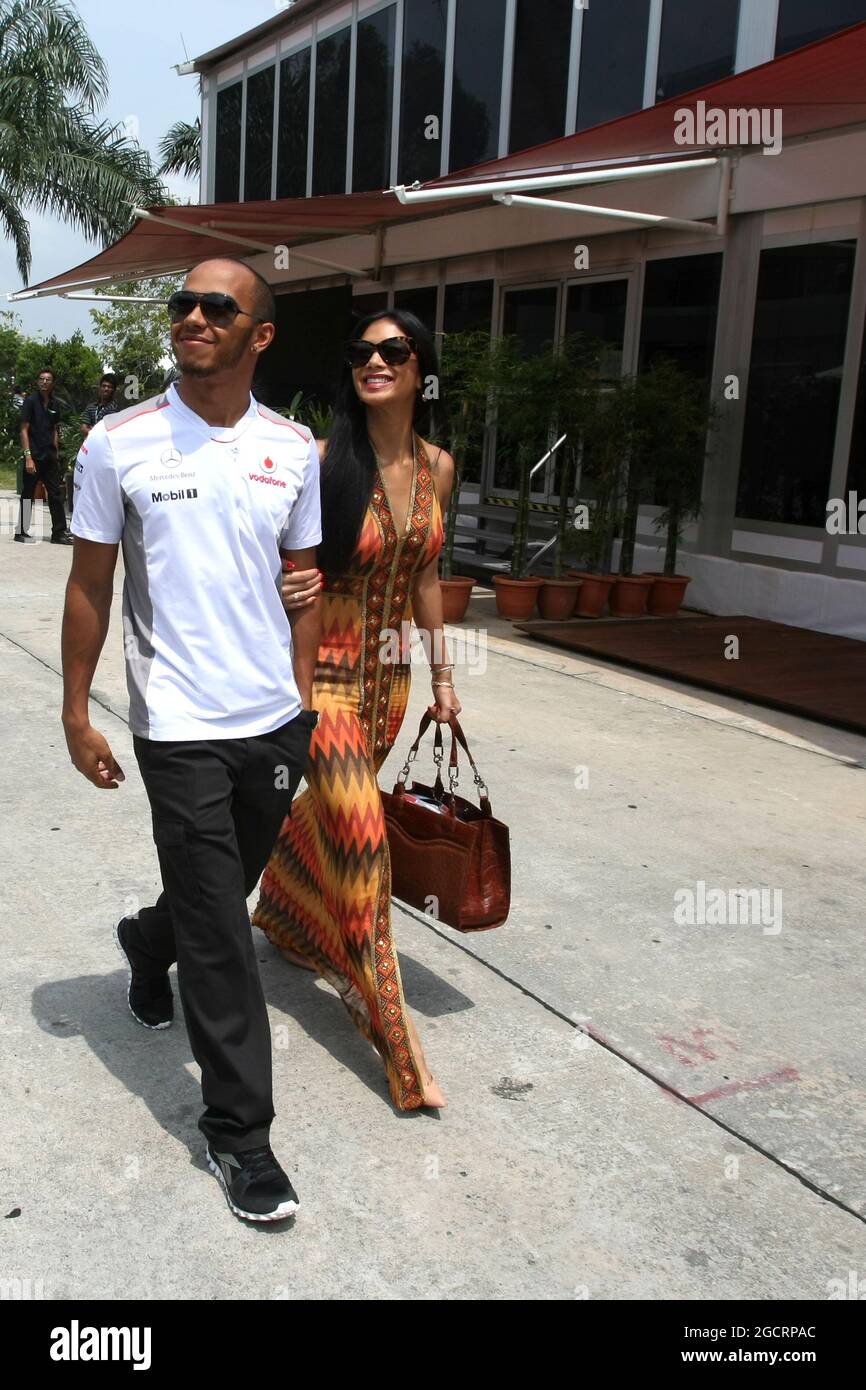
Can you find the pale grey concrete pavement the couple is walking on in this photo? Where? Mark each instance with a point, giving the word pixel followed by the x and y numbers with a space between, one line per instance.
pixel 639 1109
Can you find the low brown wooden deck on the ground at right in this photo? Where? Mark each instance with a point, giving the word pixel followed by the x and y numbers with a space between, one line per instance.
pixel 807 673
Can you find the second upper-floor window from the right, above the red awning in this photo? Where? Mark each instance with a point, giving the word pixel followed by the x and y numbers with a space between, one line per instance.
pixel 698 44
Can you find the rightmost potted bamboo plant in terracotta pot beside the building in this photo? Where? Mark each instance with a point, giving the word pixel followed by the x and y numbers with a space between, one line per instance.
pixel 678 416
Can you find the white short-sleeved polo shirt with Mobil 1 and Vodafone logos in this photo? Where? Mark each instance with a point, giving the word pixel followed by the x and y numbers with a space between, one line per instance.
pixel 202 514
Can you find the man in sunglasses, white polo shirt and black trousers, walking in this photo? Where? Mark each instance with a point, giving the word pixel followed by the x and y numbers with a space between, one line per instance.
pixel 204 487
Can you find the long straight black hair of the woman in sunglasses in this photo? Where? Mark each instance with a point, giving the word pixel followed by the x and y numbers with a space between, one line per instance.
pixel 350 466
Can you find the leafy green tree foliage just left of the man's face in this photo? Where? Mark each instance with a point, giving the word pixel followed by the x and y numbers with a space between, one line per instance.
pixel 136 338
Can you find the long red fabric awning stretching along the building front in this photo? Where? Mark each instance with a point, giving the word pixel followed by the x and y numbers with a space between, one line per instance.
pixel 818 88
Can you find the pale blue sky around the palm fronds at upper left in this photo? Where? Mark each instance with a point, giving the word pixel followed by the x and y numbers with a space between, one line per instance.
pixel 140 44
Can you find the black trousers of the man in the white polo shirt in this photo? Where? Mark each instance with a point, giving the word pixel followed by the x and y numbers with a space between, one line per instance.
pixel 218 808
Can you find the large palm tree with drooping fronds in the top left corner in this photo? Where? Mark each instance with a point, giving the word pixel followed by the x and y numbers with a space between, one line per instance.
pixel 56 155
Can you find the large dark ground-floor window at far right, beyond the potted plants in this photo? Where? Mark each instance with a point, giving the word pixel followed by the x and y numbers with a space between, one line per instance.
pixel 799 347
